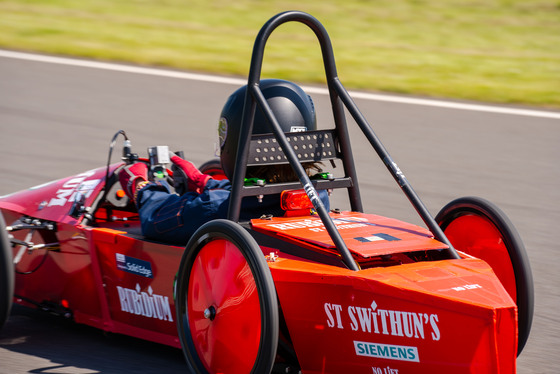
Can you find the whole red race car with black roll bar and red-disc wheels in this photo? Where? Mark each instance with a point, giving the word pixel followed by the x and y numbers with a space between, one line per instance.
pixel 310 291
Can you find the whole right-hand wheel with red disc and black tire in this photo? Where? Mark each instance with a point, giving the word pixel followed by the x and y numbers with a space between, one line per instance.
pixel 479 228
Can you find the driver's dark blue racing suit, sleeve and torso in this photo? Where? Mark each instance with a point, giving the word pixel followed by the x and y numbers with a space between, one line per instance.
pixel 172 218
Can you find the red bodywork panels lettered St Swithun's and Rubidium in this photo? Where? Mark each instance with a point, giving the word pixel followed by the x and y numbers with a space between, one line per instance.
pixel 450 314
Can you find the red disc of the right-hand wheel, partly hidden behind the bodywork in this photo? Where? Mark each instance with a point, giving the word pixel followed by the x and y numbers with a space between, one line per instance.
pixel 477 236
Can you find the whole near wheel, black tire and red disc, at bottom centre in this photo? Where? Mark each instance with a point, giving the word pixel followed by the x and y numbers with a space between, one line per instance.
pixel 232 240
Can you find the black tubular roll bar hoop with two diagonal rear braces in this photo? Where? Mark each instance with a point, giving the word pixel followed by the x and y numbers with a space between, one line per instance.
pixel 338 96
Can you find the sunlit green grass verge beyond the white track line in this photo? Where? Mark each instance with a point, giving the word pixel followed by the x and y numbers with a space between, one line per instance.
pixel 504 51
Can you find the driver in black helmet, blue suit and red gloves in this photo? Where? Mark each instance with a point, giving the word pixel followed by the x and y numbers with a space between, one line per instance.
pixel 167 216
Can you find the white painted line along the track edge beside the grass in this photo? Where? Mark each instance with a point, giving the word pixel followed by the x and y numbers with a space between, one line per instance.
pixel 239 82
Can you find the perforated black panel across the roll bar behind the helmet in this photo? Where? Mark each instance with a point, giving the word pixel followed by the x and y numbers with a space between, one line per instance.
pixel 309 146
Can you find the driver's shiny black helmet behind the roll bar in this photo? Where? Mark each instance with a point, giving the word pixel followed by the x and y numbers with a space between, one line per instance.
pixel 292 107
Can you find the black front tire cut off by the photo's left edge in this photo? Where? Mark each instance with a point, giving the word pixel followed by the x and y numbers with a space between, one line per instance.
pixel 6 274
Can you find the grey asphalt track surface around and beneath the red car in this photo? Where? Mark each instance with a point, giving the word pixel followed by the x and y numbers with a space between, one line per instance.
pixel 57 120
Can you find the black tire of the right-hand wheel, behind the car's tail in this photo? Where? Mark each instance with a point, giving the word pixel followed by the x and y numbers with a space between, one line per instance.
pixel 474 206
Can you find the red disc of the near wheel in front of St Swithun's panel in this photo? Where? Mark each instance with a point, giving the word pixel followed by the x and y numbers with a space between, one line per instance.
pixel 222 285
